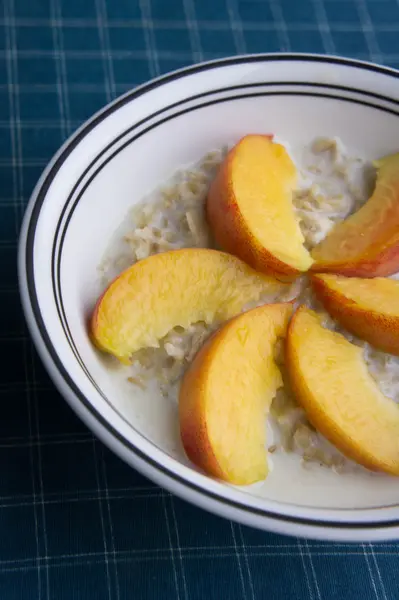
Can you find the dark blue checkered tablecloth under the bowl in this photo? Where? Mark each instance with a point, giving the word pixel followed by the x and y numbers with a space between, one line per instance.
pixel 75 522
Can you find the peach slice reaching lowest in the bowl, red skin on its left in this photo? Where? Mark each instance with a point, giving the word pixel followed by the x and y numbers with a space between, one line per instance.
pixel 226 393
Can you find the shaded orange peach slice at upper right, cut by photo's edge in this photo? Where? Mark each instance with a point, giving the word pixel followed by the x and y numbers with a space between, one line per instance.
pixel 366 244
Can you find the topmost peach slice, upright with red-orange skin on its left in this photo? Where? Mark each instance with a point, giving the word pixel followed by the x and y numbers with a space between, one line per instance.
pixel 249 208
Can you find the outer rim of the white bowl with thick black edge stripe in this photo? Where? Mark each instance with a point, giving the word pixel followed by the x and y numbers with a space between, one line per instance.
pixel 70 390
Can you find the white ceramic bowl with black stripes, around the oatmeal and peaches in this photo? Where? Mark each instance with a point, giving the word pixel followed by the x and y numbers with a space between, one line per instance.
pixel 110 163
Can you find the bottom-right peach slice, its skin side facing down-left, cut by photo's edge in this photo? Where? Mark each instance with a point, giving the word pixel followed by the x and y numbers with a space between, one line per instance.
pixel 330 380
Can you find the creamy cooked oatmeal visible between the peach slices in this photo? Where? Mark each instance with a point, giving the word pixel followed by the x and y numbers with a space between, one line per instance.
pixel 332 185
